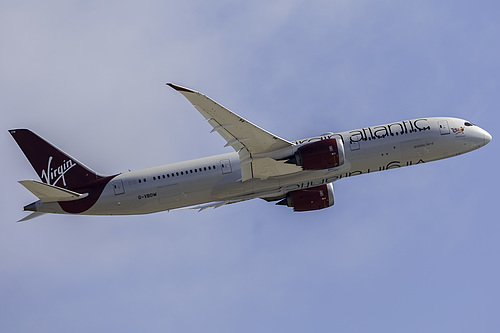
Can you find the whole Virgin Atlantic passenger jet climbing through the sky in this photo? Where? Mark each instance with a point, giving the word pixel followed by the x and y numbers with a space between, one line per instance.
pixel 298 174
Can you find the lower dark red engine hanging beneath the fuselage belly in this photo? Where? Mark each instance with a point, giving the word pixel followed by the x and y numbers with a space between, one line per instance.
pixel 313 198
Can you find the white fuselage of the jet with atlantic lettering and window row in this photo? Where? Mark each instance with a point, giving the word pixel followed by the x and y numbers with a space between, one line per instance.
pixel 218 178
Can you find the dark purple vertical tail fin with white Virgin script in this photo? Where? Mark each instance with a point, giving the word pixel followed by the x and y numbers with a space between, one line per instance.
pixel 52 165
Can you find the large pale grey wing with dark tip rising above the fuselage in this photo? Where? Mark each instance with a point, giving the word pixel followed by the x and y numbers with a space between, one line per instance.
pixel 254 145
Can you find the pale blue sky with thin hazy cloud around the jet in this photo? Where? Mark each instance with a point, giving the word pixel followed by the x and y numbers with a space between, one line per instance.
pixel 410 250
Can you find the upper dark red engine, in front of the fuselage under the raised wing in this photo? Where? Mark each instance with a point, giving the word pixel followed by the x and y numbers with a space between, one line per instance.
pixel 319 155
